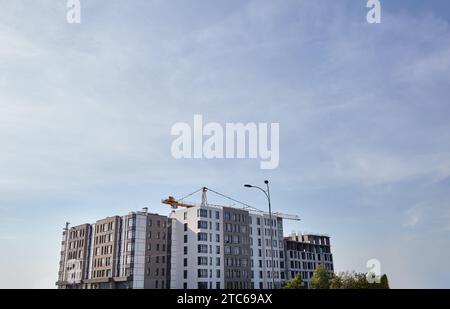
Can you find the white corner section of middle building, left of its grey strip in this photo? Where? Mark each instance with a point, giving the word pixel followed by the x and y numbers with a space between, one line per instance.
pixel 197 248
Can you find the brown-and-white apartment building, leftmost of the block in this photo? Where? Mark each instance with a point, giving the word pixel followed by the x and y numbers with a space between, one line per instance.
pixel 116 252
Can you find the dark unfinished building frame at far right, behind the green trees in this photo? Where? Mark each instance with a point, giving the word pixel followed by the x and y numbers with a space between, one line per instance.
pixel 305 252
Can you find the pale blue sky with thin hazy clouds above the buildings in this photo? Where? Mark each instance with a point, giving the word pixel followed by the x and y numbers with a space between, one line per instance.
pixel 86 112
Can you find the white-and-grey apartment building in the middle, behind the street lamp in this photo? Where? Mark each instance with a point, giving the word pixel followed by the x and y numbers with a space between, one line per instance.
pixel 225 247
